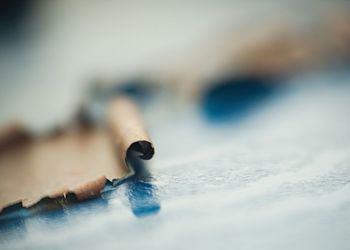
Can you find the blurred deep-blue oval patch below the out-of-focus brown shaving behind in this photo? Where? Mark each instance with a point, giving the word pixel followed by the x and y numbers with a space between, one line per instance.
pixel 232 98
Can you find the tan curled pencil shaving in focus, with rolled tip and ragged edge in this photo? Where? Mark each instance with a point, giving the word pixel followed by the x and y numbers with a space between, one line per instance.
pixel 78 161
